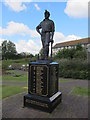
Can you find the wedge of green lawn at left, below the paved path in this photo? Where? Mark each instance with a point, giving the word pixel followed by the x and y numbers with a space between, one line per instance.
pixel 8 91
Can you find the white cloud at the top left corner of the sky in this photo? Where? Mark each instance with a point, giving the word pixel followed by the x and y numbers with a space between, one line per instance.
pixel 16 6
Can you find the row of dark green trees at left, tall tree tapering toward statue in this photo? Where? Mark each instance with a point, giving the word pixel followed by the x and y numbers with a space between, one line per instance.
pixel 9 51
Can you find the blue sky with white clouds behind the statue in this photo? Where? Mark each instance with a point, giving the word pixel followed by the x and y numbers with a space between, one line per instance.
pixel 20 18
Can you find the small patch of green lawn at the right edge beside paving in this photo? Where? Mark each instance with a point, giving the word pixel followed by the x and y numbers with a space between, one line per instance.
pixel 81 91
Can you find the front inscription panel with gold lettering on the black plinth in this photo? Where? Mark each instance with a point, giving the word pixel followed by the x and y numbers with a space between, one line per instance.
pixel 39 79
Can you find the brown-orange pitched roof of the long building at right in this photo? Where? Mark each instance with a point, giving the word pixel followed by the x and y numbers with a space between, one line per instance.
pixel 73 43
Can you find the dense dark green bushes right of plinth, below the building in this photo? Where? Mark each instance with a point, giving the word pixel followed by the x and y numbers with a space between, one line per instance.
pixel 73 63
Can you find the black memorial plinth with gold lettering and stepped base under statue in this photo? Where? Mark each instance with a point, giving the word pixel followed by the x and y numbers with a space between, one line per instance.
pixel 43 86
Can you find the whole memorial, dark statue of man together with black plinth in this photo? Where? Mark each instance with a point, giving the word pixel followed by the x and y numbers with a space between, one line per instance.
pixel 43 92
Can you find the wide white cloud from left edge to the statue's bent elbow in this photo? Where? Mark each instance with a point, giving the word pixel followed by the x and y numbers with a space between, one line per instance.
pixel 18 28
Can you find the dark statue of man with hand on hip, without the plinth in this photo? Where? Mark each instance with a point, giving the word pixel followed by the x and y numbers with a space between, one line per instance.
pixel 47 32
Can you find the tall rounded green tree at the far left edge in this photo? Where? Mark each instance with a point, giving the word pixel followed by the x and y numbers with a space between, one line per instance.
pixel 8 50
